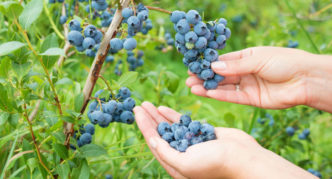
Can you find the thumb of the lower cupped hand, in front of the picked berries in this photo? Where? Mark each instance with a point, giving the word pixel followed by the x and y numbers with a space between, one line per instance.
pixel 166 152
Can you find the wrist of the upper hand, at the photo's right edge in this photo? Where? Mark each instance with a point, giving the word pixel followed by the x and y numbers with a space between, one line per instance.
pixel 319 82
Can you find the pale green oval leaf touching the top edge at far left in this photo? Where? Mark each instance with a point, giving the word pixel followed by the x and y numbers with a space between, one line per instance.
pixel 30 13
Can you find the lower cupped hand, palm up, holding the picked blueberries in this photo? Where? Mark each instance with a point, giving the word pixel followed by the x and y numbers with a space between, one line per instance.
pixel 234 154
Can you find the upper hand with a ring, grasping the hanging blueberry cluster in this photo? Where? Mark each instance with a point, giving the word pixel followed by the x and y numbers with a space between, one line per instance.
pixel 271 77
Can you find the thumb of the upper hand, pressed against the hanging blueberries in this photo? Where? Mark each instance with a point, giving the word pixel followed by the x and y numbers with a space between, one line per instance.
pixel 246 65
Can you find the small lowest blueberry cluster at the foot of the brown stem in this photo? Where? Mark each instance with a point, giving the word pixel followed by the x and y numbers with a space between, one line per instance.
pixel 85 135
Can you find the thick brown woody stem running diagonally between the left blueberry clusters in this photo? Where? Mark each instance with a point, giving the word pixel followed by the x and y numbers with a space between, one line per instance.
pixel 98 63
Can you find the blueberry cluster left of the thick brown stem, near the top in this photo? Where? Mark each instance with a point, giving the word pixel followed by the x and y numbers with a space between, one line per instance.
pixel 87 39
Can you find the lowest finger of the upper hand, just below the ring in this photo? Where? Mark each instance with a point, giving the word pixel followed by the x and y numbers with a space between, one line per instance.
pixel 238 97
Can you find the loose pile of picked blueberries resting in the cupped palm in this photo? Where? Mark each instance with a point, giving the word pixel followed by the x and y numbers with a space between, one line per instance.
pixel 186 133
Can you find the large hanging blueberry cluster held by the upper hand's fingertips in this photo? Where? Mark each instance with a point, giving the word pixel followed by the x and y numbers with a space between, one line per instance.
pixel 199 42
